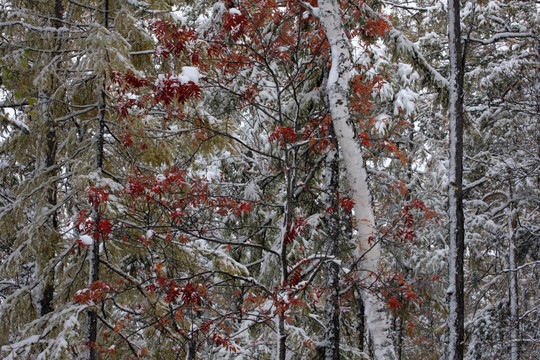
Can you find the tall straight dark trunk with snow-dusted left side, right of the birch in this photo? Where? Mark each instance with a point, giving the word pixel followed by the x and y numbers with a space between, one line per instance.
pixel 455 188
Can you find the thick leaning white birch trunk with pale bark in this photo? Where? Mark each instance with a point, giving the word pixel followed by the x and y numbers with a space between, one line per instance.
pixel 337 91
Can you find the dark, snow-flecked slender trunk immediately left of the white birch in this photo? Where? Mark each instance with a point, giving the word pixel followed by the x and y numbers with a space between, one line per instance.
pixel 332 305
